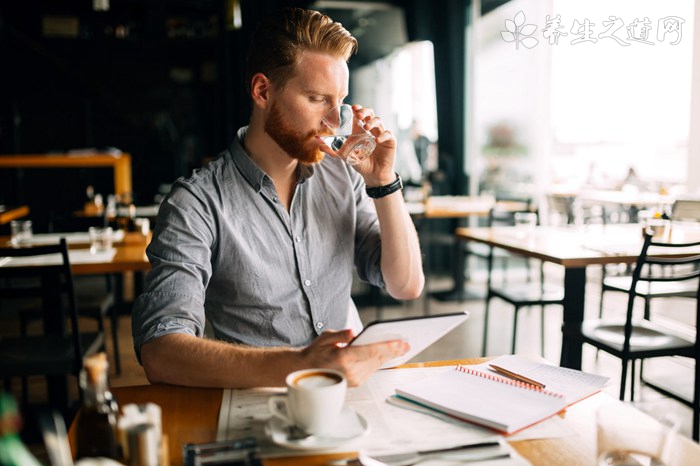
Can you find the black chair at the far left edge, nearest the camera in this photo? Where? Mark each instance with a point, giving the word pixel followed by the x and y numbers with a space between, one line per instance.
pixel 58 352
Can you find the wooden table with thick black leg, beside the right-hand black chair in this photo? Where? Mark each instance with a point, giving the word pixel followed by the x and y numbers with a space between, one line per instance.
pixel 574 249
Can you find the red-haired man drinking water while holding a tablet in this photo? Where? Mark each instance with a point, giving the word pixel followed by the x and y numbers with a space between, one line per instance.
pixel 263 240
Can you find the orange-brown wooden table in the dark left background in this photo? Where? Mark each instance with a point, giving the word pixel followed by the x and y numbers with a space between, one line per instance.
pixel 120 163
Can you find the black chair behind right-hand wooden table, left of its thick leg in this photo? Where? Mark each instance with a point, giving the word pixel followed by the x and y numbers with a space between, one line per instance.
pixel 520 295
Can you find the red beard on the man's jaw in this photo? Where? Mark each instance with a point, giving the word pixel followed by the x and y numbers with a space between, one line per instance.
pixel 302 147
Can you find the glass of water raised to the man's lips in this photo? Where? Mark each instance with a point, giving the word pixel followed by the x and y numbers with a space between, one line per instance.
pixel 349 140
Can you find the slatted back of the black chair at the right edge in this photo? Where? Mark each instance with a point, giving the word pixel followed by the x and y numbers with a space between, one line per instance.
pixel 664 262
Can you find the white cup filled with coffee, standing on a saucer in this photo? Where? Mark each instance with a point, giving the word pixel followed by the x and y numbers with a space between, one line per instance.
pixel 314 400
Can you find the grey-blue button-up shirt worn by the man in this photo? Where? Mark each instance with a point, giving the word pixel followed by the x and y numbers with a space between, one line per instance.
pixel 226 250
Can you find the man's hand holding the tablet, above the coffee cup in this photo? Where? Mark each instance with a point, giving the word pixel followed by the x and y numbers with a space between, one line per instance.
pixel 358 363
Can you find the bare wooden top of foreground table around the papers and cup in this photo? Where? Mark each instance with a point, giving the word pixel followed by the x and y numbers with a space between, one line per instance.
pixel 190 415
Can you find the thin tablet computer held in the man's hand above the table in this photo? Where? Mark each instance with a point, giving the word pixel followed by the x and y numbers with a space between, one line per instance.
pixel 419 332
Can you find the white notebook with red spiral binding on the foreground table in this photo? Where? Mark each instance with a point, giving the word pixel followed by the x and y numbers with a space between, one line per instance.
pixel 499 403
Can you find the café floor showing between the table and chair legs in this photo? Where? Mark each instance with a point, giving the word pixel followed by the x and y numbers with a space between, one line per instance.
pixel 465 341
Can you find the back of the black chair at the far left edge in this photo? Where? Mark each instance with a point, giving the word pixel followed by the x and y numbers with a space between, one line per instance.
pixel 43 272
